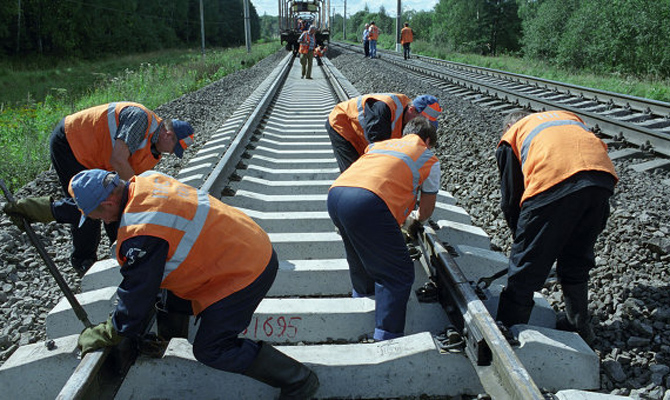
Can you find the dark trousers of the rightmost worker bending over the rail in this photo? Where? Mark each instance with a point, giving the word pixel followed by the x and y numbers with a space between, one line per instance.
pixel 564 231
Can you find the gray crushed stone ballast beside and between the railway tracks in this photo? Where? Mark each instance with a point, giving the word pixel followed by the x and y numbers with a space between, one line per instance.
pixel 630 300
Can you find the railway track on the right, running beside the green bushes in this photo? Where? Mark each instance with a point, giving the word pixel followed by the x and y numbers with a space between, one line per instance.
pixel 641 127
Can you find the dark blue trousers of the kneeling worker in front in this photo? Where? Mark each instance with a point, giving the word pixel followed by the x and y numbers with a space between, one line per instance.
pixel 217 343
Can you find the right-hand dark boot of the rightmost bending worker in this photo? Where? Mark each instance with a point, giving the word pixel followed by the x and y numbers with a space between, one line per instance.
pixel 576 318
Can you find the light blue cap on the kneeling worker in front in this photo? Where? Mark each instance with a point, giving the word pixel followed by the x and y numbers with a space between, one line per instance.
pixel 91 187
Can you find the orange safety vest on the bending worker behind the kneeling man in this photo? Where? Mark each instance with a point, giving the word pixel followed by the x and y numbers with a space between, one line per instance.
pixel 91 132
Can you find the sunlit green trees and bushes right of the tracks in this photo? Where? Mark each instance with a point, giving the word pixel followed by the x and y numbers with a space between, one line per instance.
pixel 603 36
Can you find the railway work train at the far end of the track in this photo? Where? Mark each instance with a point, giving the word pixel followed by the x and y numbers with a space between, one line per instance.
pixel 298 15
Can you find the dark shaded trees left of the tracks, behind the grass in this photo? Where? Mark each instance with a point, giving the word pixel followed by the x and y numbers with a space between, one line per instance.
pixel 92 28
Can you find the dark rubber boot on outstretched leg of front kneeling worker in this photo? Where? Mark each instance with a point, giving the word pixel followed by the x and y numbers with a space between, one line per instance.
pixel 272 367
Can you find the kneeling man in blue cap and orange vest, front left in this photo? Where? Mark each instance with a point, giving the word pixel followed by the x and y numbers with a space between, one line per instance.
pixel 213 256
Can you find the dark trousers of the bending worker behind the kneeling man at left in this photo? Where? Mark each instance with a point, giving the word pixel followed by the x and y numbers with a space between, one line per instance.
pixel 85 239
